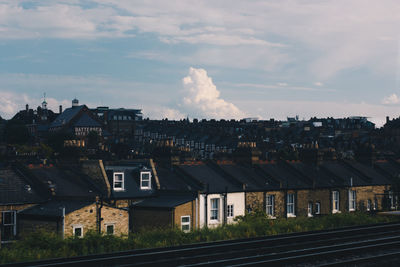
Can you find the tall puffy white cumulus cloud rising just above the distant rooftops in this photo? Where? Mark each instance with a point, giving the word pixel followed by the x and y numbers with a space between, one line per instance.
pixel 203 99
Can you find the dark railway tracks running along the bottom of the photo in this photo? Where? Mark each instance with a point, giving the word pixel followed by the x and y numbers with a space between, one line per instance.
pixel 346 246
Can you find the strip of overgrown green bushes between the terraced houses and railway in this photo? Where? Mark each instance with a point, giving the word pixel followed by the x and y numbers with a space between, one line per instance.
pixel 42 245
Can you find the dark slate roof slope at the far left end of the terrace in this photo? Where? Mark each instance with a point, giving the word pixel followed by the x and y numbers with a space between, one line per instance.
pixel 14 189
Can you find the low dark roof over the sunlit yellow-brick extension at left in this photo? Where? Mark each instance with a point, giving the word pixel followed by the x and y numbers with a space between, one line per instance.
pixel 55 208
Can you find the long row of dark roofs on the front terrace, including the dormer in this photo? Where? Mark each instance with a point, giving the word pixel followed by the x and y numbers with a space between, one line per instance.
pixel 35 183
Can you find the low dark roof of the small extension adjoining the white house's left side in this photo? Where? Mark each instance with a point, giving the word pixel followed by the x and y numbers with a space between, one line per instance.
pixel 165 201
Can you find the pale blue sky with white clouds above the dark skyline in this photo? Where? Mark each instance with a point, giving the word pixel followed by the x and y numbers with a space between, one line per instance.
pixel 204 59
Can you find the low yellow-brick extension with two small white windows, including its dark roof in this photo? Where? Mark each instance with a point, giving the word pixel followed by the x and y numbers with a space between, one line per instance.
pixel 74 218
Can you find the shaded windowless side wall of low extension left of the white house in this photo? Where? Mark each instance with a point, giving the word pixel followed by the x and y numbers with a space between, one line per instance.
pixel 143 218
